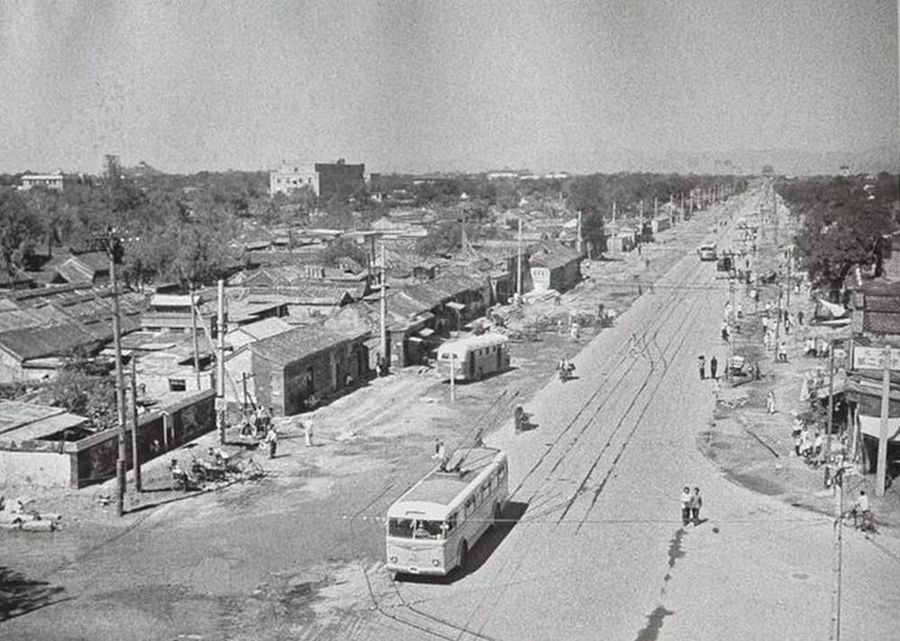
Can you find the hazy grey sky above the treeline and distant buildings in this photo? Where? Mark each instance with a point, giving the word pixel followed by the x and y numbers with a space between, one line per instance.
pixel 421 86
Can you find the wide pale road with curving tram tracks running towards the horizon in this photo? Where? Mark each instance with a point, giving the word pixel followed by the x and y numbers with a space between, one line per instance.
pixel 600 551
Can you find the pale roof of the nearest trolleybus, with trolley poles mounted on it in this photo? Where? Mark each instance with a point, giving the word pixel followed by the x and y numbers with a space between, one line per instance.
pixel 432 495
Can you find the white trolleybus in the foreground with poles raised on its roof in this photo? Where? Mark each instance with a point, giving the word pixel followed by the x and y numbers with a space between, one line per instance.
pixel 432 527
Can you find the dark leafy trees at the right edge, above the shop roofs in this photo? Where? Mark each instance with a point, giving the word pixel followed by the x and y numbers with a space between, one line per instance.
pixel 845 223
